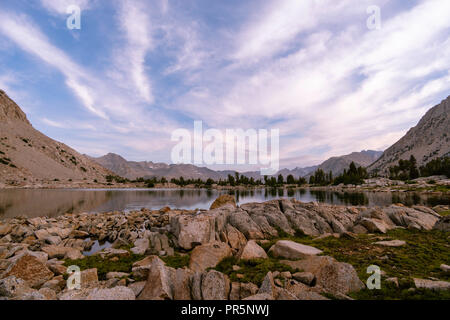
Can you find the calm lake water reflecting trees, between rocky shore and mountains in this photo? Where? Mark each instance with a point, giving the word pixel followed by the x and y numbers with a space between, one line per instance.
pixel 51 203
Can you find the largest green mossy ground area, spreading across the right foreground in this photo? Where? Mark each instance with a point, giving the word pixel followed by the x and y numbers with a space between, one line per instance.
pixel 421 257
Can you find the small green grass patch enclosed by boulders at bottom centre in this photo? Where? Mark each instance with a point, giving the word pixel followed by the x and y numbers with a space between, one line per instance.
pixel 253 270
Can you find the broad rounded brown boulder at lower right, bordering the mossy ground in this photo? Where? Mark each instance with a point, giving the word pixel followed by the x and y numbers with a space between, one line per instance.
pixel 333 276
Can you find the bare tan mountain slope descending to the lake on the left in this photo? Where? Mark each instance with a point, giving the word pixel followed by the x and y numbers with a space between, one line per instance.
pixel 28 156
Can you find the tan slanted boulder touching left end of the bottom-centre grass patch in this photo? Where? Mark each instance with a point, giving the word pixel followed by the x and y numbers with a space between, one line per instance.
pixel 208 255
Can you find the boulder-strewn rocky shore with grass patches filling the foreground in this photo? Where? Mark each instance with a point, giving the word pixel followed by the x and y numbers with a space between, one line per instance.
pixel 223 246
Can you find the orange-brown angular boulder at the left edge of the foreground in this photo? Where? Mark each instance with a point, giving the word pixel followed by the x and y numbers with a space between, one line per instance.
pixel 30 269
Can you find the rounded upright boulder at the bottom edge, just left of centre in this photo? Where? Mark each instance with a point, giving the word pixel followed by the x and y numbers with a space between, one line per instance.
pixel 215 286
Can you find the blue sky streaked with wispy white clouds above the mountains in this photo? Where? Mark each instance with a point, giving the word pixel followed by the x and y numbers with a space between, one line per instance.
pixel 138 70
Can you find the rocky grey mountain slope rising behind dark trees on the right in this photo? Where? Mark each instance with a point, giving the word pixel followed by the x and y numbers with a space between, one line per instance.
pixel 426 141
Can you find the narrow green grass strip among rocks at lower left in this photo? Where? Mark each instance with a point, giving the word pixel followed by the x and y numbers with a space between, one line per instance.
pixel 124 264
